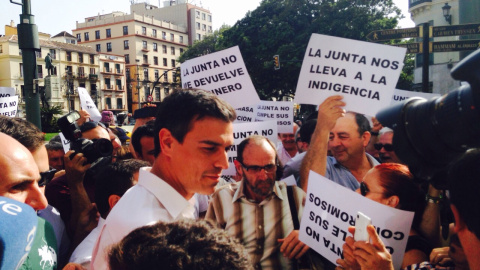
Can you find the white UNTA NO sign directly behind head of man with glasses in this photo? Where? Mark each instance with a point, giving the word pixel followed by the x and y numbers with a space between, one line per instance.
pixel 241 131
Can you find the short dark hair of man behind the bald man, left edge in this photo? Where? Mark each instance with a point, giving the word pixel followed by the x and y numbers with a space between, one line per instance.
pixel 23 131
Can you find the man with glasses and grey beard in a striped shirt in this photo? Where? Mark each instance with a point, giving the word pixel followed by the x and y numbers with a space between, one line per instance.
pixel 256 210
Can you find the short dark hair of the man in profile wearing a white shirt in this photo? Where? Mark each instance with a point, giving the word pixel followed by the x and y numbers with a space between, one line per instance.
pixel 181 108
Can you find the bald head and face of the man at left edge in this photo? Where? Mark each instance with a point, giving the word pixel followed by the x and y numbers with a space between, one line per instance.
pixel 20 175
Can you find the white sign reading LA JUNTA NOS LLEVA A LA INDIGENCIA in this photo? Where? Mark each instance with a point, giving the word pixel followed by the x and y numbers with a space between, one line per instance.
pixel 364 73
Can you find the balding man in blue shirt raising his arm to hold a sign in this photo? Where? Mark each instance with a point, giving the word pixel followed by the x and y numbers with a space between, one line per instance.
pixel 346 135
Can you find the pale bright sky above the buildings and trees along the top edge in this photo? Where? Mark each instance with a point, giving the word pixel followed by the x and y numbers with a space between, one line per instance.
pixel 54 16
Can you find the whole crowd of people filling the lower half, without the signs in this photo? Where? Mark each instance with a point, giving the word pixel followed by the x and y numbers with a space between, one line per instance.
pixel 161 202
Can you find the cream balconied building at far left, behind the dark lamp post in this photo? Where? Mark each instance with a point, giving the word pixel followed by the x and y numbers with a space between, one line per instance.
pixel 74 66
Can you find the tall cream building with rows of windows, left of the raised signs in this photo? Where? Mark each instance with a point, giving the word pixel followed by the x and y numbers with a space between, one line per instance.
pixel 149 46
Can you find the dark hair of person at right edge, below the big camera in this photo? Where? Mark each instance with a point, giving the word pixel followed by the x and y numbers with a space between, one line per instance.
pixel 465 187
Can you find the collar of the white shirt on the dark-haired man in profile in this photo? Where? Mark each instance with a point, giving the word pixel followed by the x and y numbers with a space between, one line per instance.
pixel 173 202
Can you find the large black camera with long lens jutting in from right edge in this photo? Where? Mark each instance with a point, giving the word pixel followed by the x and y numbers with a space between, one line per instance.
pixel 429 135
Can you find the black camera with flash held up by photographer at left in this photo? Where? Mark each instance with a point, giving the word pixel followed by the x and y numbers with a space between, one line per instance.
pixel 96 150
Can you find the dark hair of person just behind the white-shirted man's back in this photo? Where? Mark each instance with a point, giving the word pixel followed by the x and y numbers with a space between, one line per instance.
pixel 115 179
